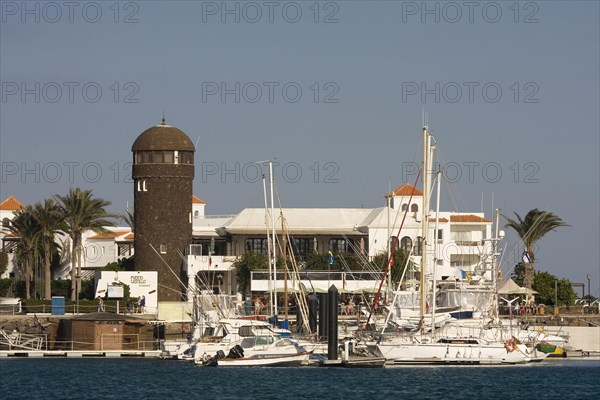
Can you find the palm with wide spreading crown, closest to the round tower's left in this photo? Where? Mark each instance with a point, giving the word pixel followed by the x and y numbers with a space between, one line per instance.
pixel 81 212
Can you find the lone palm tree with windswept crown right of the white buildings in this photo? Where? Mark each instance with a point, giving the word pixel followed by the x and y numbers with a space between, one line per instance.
pixel 531 229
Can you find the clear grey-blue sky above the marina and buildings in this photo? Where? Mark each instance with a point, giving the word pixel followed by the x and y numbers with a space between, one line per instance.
pixel 510 90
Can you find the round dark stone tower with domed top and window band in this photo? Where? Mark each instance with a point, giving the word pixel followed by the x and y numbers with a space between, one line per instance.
pixel 163 171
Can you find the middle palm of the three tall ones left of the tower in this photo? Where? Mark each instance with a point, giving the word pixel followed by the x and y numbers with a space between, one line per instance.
pixel 50 222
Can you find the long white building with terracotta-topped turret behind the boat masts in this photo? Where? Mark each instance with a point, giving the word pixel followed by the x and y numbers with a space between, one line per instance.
pixel 461 246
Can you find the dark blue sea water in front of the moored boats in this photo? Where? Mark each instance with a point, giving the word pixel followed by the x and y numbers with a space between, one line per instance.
pixel 102 378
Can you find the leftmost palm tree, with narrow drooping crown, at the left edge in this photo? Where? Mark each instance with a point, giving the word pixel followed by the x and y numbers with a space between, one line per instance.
pixel 25 226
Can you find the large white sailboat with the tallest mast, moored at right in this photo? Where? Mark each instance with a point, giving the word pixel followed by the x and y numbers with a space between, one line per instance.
pixel 453 342
